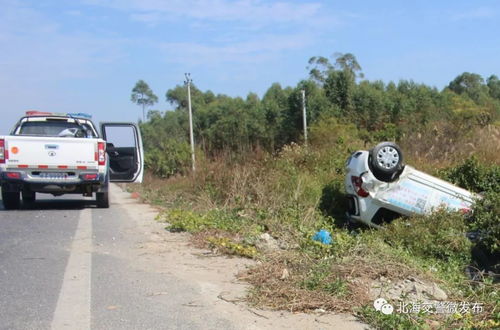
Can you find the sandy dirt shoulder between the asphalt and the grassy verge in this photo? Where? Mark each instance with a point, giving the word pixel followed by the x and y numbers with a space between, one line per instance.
pixel 214 277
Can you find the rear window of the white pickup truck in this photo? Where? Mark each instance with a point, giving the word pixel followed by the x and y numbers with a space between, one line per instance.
pixel 59 128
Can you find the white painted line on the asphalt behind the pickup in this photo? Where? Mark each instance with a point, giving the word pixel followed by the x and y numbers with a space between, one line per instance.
pixel 73 306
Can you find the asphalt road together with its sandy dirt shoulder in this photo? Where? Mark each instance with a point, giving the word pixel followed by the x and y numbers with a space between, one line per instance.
pixel 65 264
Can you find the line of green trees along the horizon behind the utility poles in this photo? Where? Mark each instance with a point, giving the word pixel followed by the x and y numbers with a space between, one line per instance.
pixel 335 89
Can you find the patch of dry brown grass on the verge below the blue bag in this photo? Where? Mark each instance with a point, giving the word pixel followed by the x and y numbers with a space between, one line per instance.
pixel 358 269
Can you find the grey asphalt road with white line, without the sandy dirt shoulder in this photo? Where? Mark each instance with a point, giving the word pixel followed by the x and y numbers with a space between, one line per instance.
pixel 65 264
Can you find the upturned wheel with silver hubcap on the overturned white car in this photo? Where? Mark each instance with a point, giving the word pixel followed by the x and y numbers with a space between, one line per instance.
pixel 386 160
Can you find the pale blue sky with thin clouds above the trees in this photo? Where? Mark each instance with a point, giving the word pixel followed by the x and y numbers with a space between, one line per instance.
pixel 87 55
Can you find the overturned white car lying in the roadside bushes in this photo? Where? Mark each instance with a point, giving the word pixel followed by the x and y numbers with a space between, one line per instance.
pixel 380 187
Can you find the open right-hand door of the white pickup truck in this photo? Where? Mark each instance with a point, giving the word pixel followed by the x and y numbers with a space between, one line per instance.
pixel 125 152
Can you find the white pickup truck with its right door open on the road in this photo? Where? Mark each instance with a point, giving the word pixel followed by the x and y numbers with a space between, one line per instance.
pixel 63 153
